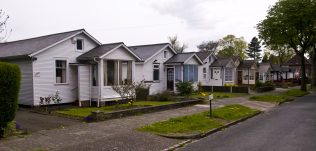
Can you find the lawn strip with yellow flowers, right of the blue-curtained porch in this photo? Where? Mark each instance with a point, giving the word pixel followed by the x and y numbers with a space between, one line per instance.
pixel 217 95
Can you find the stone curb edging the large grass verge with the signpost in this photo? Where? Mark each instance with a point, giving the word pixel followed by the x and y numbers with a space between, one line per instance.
pixel 201 135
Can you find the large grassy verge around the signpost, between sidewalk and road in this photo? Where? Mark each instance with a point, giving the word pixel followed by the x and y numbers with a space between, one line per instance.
pixel 200 122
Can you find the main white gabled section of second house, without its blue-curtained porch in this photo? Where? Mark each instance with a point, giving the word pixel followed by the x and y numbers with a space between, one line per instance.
pixel 150 68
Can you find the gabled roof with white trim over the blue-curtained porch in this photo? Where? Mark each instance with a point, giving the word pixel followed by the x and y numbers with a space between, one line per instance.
pixel 183 58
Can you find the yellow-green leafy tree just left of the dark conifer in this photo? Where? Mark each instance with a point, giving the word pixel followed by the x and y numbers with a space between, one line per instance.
pixel 231 46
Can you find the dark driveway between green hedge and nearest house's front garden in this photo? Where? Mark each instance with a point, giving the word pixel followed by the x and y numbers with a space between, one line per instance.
pixel 33 122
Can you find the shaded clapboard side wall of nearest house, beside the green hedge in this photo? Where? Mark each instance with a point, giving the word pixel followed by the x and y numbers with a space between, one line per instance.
pixel 26 89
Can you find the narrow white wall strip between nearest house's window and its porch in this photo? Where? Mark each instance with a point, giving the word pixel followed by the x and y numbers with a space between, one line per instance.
pixel 84 82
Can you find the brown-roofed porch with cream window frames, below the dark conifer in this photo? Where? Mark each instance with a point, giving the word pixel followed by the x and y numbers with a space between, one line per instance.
pixel 247 72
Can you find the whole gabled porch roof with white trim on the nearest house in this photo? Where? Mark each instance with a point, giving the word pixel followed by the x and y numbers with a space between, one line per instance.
pixel 100 51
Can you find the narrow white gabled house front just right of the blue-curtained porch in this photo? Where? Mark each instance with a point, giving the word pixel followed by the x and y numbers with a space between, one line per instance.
pixel 207 57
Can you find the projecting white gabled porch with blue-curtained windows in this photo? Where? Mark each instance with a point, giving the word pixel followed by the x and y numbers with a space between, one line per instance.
pixel 182 67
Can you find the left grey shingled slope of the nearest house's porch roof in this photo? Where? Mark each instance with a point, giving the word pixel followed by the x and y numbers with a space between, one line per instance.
pixel 99 51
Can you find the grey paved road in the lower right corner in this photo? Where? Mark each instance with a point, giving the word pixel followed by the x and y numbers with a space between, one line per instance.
pixel 291 127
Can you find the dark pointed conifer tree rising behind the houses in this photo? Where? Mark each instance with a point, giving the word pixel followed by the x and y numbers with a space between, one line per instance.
pixel 254 49
